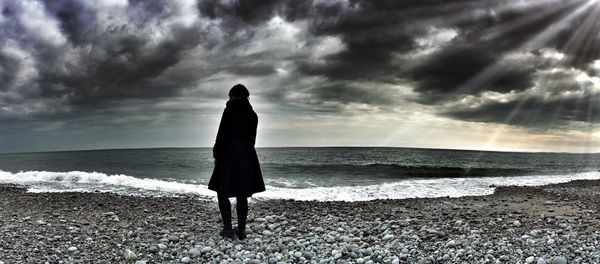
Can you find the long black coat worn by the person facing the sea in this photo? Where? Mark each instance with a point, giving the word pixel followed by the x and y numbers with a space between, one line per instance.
pixel 237 172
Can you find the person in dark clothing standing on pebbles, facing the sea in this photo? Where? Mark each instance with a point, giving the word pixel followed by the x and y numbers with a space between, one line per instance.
pixel 237 172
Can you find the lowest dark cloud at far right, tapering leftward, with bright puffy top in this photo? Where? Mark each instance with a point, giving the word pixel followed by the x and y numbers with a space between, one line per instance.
pixel 559 99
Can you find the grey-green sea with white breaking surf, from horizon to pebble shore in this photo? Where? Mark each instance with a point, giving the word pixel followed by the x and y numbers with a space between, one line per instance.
pixel 319 173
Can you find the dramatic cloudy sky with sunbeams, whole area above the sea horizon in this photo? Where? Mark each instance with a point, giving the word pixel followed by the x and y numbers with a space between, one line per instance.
pixel 468 74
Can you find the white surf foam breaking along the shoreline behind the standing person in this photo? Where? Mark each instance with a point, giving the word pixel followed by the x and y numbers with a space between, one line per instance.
pixel 43 181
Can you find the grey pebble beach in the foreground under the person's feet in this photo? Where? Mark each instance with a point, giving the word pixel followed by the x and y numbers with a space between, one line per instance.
pixel 546 224
